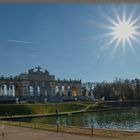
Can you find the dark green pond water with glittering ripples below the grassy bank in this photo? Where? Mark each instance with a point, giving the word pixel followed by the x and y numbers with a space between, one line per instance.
pixel 117 119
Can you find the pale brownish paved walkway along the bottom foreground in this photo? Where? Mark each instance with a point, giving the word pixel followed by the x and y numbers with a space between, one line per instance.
pixel 20 133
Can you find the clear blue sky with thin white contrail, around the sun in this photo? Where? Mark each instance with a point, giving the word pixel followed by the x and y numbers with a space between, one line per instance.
pixel 67 40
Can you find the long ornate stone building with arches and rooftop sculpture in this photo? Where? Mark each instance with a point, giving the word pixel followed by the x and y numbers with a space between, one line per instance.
pixel 38 83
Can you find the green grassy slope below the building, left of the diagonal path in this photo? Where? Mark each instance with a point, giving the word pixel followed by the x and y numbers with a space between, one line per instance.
pixel 28 109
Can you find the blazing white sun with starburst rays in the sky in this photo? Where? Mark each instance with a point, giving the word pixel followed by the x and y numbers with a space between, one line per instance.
pixel 123 29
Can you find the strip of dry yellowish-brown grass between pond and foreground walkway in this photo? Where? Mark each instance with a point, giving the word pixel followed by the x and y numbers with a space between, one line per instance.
pixel 75 130
